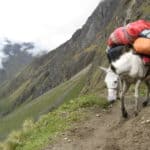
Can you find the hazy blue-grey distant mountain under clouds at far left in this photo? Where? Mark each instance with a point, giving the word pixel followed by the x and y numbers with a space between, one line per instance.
pixel 15 57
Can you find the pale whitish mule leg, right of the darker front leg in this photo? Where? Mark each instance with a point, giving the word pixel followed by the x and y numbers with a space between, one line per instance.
pixel 137 97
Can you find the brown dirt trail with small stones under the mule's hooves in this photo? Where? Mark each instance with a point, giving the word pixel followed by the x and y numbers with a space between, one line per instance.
pixel 106 130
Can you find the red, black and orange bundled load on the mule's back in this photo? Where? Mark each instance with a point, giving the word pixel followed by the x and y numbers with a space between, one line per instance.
pixel 136 35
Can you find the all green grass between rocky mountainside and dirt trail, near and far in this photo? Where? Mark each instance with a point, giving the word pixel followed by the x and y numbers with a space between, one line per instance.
pixel 35 135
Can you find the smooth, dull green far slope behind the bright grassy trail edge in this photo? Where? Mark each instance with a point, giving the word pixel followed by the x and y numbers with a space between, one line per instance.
pixel 43 104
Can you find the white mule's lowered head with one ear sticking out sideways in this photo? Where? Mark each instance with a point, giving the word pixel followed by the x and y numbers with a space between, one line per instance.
pixel 112 82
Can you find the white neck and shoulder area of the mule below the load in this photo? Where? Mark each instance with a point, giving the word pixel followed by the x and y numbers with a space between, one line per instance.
pixel 130 64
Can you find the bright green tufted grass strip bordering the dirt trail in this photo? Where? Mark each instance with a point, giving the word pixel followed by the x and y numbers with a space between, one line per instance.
pixel 34 136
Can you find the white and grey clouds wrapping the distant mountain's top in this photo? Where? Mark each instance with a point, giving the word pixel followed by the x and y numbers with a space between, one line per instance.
pixel 13 49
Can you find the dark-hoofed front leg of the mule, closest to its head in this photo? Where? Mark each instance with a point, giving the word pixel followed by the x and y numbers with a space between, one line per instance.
pixel 124 90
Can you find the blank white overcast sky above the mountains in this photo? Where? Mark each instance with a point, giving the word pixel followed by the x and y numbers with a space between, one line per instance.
pixel 47 22
